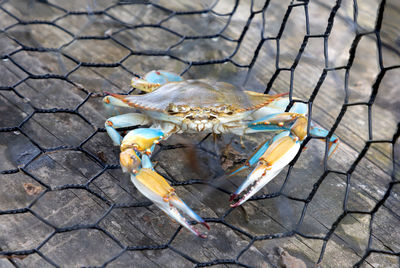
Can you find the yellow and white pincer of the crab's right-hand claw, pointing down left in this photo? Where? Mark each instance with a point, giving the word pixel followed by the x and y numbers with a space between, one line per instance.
pixel 280 153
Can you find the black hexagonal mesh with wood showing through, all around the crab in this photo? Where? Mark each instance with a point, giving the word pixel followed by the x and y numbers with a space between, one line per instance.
pixel 64 200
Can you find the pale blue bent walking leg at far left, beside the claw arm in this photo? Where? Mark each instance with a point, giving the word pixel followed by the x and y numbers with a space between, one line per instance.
pixel 121 121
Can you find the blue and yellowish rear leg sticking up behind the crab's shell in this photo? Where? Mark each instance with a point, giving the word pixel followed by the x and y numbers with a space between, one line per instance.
pixel 154 80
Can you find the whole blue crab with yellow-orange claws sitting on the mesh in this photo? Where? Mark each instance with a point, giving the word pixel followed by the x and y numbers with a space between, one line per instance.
pixel 174 105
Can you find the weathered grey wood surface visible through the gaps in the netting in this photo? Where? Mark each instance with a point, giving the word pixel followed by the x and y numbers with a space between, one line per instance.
pixel 149 226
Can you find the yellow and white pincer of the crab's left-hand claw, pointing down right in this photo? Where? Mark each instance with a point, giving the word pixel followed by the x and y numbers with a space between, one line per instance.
pixel 157 189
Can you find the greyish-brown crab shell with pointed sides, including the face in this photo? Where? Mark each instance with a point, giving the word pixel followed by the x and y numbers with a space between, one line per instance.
pixel 199 105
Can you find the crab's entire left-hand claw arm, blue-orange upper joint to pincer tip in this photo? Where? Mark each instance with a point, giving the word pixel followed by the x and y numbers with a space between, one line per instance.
pixel 136 147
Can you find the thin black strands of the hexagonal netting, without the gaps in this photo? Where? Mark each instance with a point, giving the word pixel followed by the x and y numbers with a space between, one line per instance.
pixel 111 206
